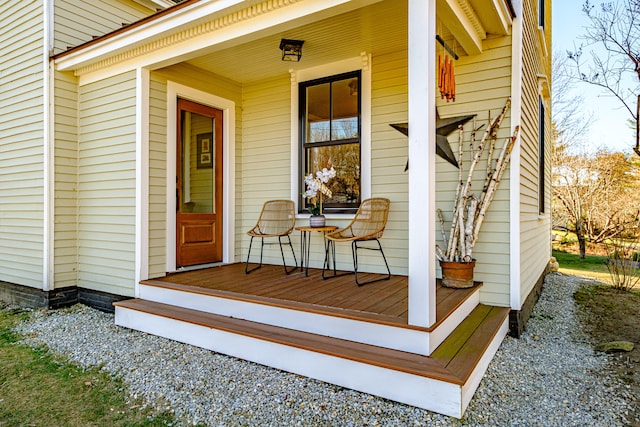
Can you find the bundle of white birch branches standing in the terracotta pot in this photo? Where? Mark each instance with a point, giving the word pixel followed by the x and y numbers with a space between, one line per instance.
pixel 468 210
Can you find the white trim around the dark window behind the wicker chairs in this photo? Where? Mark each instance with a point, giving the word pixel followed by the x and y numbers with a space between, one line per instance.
pixel 362 63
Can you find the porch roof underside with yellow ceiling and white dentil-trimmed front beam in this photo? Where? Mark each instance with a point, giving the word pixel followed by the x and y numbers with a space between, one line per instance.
pixel 246 50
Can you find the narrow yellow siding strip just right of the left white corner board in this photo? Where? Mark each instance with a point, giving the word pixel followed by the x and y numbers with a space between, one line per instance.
pixel 65 194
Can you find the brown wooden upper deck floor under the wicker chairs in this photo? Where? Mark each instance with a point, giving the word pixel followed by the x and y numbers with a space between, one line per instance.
pixel 385 301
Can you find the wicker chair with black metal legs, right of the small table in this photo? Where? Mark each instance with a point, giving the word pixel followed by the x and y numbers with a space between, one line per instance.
pixel 367 225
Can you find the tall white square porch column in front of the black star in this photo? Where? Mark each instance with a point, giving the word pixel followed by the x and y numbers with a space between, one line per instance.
pixel 422 281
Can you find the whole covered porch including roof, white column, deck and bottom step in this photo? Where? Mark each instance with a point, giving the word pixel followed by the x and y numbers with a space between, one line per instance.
pixel 406 339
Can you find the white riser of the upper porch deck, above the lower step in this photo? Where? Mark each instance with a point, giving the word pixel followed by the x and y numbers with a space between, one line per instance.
pixel 335 324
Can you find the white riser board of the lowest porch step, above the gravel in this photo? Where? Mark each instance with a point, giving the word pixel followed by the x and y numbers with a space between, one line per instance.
pixel 427 393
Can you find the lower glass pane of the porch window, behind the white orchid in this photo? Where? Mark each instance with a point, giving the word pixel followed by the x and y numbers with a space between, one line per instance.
pixel 345 159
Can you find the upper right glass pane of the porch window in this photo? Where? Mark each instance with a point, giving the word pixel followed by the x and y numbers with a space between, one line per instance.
pixel 345 109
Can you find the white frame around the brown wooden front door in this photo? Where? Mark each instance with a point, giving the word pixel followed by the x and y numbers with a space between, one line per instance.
pixel 175 91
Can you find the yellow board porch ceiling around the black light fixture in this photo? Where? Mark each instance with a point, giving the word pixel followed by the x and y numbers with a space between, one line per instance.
pixel 380 28
